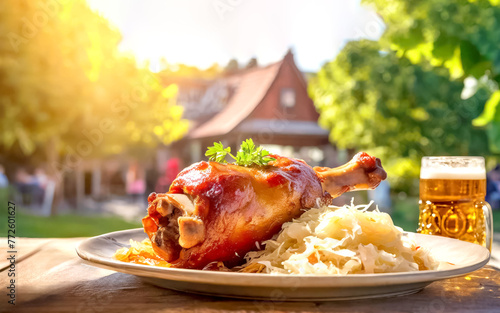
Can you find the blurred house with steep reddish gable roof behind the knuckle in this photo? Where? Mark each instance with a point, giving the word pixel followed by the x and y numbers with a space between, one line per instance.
pixel 268 104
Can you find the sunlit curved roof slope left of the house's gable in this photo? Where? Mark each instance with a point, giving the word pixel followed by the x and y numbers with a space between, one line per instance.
pixel 250 88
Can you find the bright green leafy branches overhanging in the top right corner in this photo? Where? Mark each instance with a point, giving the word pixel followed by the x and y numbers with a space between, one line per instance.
pixel 463 36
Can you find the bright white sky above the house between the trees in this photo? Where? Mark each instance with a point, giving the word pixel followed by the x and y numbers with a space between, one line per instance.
pixel 202 32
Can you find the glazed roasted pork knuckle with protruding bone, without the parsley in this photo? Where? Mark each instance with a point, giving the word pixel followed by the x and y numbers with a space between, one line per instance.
pixel 217 212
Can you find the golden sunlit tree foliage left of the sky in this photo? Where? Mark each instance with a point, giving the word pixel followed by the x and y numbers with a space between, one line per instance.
pixel 65 87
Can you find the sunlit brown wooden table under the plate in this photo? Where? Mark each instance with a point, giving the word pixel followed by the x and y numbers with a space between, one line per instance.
pixel 50 277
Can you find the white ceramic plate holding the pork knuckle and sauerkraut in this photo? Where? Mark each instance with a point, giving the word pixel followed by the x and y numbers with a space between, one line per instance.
pixel 466 257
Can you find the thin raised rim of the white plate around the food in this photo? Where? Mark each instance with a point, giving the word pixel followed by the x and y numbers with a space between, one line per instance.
pixel 267 280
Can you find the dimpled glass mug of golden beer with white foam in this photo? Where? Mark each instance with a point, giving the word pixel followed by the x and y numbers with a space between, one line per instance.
pixel 452 199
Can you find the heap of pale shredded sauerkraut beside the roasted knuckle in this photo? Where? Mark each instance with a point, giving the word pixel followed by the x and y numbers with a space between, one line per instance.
pixel 340 241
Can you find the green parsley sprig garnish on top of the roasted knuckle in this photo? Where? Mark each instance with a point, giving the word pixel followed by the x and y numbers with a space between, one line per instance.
pixel 246 156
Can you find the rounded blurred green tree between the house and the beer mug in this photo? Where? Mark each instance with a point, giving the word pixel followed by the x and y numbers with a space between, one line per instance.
pixel 398 110
